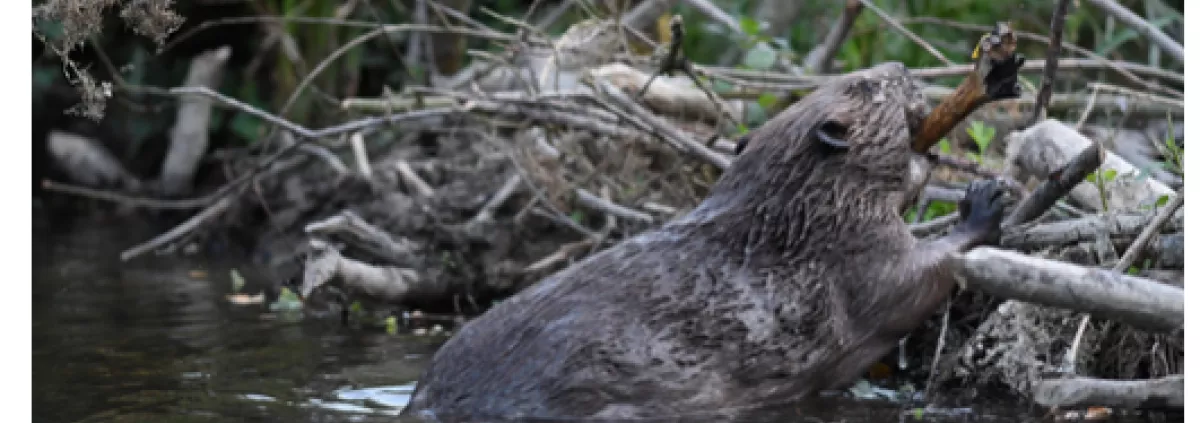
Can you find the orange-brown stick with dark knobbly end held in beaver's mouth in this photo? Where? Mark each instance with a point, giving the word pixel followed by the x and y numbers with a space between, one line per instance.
pixel 993 79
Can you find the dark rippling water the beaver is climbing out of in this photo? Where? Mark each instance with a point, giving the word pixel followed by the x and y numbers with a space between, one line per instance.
pixel 158 342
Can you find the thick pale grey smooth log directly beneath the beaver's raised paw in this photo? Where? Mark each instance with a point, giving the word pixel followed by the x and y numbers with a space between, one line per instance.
pixel 1138 302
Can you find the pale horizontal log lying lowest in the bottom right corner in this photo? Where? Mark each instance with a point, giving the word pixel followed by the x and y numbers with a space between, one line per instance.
pixel 1153 394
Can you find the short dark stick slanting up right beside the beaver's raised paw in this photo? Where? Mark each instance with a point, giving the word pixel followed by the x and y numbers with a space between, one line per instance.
pixel 1057 187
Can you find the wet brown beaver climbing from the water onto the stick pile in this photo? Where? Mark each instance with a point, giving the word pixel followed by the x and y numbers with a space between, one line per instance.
pixel 794 276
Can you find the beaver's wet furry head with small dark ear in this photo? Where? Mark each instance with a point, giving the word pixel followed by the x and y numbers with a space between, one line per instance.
pixel 841 158
